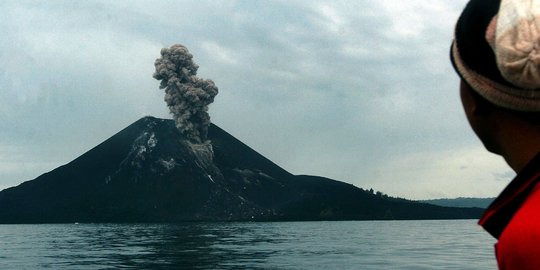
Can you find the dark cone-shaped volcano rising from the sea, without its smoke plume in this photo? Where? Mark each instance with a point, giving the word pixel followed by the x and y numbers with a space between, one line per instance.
pixel 149 172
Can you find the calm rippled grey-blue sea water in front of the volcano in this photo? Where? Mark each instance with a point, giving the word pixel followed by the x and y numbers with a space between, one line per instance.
pixel 447 244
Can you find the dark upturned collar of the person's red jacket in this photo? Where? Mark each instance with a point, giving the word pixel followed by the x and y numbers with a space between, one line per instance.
pixel 501 211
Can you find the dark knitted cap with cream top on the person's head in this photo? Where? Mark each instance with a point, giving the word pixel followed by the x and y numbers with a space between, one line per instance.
pixel 496 50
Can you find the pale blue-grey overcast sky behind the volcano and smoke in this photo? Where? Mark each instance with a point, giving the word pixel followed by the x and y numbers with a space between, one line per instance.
pixel 358 91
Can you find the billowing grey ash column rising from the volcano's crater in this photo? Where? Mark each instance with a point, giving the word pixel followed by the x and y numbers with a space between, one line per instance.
pixel 186 95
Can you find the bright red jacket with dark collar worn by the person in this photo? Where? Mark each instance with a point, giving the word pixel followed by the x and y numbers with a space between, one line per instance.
pixel 514 219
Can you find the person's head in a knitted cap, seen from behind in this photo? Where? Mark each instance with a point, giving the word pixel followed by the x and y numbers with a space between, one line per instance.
pixel 496 52
